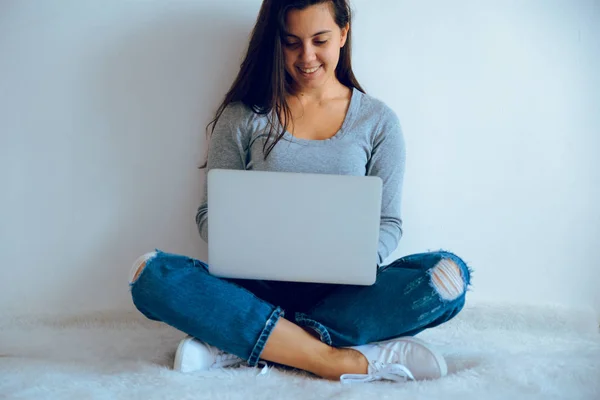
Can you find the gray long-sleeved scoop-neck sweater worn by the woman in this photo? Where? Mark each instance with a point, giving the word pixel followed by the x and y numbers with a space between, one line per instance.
pixel 370 142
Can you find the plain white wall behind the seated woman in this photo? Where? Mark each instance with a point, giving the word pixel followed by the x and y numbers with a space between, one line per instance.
pixel 103 105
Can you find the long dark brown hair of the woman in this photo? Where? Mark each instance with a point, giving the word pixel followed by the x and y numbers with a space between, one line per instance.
pixel 263 82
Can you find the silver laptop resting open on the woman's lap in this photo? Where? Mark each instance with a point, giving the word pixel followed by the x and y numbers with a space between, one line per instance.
pixel 293 226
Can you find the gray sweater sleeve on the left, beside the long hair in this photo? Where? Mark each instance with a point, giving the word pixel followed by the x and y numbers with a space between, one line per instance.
pixel 226 150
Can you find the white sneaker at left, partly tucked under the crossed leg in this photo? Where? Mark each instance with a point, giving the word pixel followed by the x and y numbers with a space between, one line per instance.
pixel 195 355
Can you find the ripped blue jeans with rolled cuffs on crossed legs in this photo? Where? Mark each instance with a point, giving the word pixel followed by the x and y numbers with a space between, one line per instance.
pixel 411 294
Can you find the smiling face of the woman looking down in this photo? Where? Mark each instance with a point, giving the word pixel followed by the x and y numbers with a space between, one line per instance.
pixel 311 45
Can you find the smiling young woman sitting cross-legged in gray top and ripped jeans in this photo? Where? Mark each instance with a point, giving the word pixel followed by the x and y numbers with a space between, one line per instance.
pixel 297 106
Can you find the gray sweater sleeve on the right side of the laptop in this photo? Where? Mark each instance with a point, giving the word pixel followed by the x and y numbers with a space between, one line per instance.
pixel 387 161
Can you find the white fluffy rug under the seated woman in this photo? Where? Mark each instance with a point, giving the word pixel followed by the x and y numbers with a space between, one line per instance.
pixel 493 351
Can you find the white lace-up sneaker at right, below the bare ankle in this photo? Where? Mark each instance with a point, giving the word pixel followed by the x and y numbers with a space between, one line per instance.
pixel 400 359
